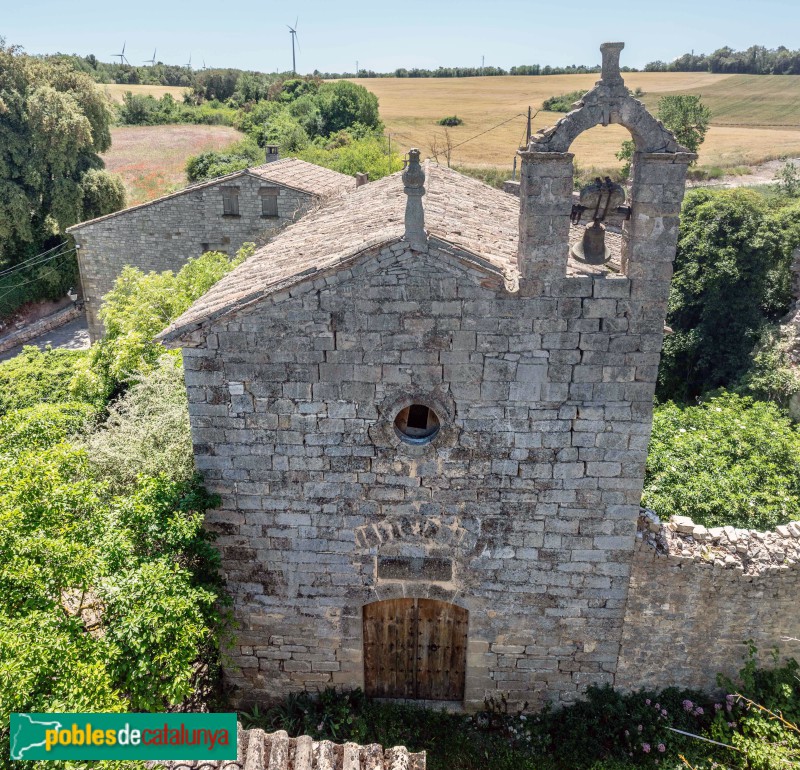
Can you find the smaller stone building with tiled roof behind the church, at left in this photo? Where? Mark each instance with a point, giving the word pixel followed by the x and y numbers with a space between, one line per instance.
pixel 219 215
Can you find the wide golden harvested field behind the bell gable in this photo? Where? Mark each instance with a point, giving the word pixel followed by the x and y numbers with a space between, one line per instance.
pixel 744 109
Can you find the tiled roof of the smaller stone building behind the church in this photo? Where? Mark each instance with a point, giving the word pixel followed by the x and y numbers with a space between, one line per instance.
pixel 289 172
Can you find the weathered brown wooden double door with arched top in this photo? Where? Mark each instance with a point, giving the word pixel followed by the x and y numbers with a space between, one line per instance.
pixel 415 648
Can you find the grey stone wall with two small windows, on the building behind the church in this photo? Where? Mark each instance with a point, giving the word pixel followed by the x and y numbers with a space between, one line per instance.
pixel 163 235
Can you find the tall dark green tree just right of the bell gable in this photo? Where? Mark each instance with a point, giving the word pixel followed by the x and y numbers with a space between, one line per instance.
pixel 731 278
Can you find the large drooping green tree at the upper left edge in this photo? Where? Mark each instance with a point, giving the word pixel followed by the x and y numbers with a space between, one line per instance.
pixel 54 123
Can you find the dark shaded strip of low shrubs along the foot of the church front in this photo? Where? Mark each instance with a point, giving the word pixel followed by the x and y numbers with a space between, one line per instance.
pixel 607 730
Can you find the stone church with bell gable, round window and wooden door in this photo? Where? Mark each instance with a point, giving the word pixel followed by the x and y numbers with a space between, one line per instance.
pixel 427 414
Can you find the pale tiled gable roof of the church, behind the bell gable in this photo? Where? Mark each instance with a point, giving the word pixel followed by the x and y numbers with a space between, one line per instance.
pixel 459 210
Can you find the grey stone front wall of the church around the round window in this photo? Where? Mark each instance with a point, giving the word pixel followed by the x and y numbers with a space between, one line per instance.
pixel 530 491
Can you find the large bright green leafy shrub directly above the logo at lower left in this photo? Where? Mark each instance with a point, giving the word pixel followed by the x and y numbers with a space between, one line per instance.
pixel 142 562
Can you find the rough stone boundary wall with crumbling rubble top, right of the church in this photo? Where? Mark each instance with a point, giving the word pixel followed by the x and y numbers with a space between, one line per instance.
pixel 697 594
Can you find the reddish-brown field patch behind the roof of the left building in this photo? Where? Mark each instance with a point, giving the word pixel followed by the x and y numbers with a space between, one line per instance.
pixel 152 159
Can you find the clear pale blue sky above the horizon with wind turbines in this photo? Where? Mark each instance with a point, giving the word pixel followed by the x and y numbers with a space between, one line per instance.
pixel 333 35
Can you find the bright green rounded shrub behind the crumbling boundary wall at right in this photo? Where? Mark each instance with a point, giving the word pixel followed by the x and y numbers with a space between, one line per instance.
pixel 730 460
